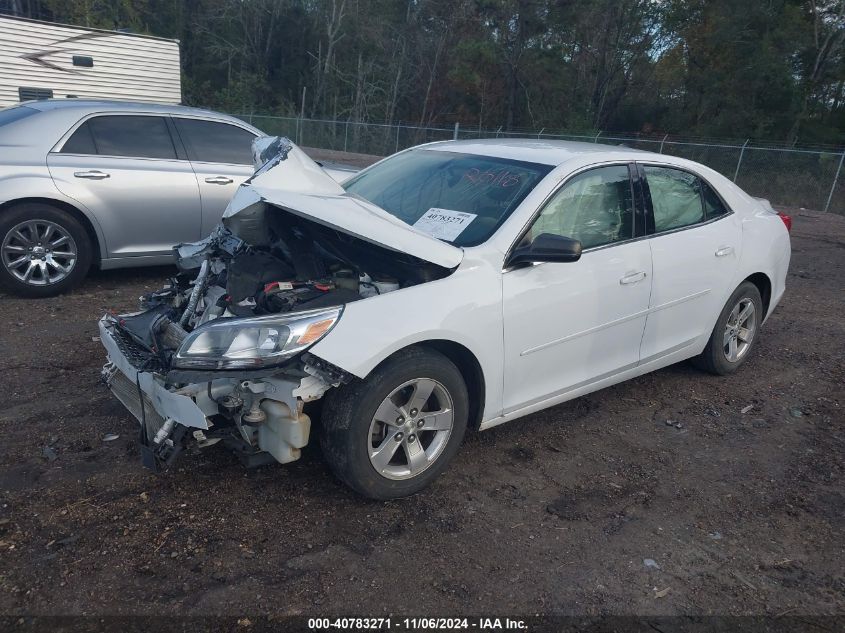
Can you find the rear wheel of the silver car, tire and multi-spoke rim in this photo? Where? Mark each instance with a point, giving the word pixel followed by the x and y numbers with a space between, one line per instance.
pixel 44 251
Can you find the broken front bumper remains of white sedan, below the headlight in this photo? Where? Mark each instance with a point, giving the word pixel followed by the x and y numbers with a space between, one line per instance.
pixel 170 416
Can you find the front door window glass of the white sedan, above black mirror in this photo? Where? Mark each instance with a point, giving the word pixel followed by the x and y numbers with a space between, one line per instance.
pixel 596 208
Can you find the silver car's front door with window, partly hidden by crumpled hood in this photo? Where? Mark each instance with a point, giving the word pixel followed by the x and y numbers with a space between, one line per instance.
pixel 221 154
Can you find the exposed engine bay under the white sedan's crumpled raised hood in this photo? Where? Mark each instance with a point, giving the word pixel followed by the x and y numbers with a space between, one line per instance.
pixel 300 268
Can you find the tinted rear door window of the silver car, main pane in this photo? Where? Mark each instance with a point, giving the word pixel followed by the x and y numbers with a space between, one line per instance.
pixel 135 136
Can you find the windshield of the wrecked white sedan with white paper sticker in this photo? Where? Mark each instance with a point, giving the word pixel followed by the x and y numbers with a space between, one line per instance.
pixel 458 198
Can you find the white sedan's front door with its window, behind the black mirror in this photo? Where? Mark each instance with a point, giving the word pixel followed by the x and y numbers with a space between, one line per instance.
pixel 570 324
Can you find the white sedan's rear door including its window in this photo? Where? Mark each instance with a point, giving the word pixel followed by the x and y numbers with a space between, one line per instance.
pixel 695 249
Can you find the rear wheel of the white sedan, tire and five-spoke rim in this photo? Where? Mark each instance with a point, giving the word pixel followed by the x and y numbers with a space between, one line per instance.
pixel 735 332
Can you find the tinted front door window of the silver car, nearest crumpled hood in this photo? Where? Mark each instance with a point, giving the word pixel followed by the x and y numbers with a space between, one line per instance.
pixel 211 142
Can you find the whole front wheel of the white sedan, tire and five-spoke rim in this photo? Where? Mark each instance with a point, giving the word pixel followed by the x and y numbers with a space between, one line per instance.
pixel 392 434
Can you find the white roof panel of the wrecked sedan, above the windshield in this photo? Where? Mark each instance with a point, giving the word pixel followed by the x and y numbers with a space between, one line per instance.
pixel 545 151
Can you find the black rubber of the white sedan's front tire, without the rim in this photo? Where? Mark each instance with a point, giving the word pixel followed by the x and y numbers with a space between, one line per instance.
pixel 349 410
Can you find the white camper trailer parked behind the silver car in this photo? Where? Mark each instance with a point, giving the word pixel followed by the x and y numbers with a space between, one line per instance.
pixel 42 60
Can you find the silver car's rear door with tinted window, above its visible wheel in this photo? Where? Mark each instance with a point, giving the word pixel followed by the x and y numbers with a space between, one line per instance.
pixel 125 170
